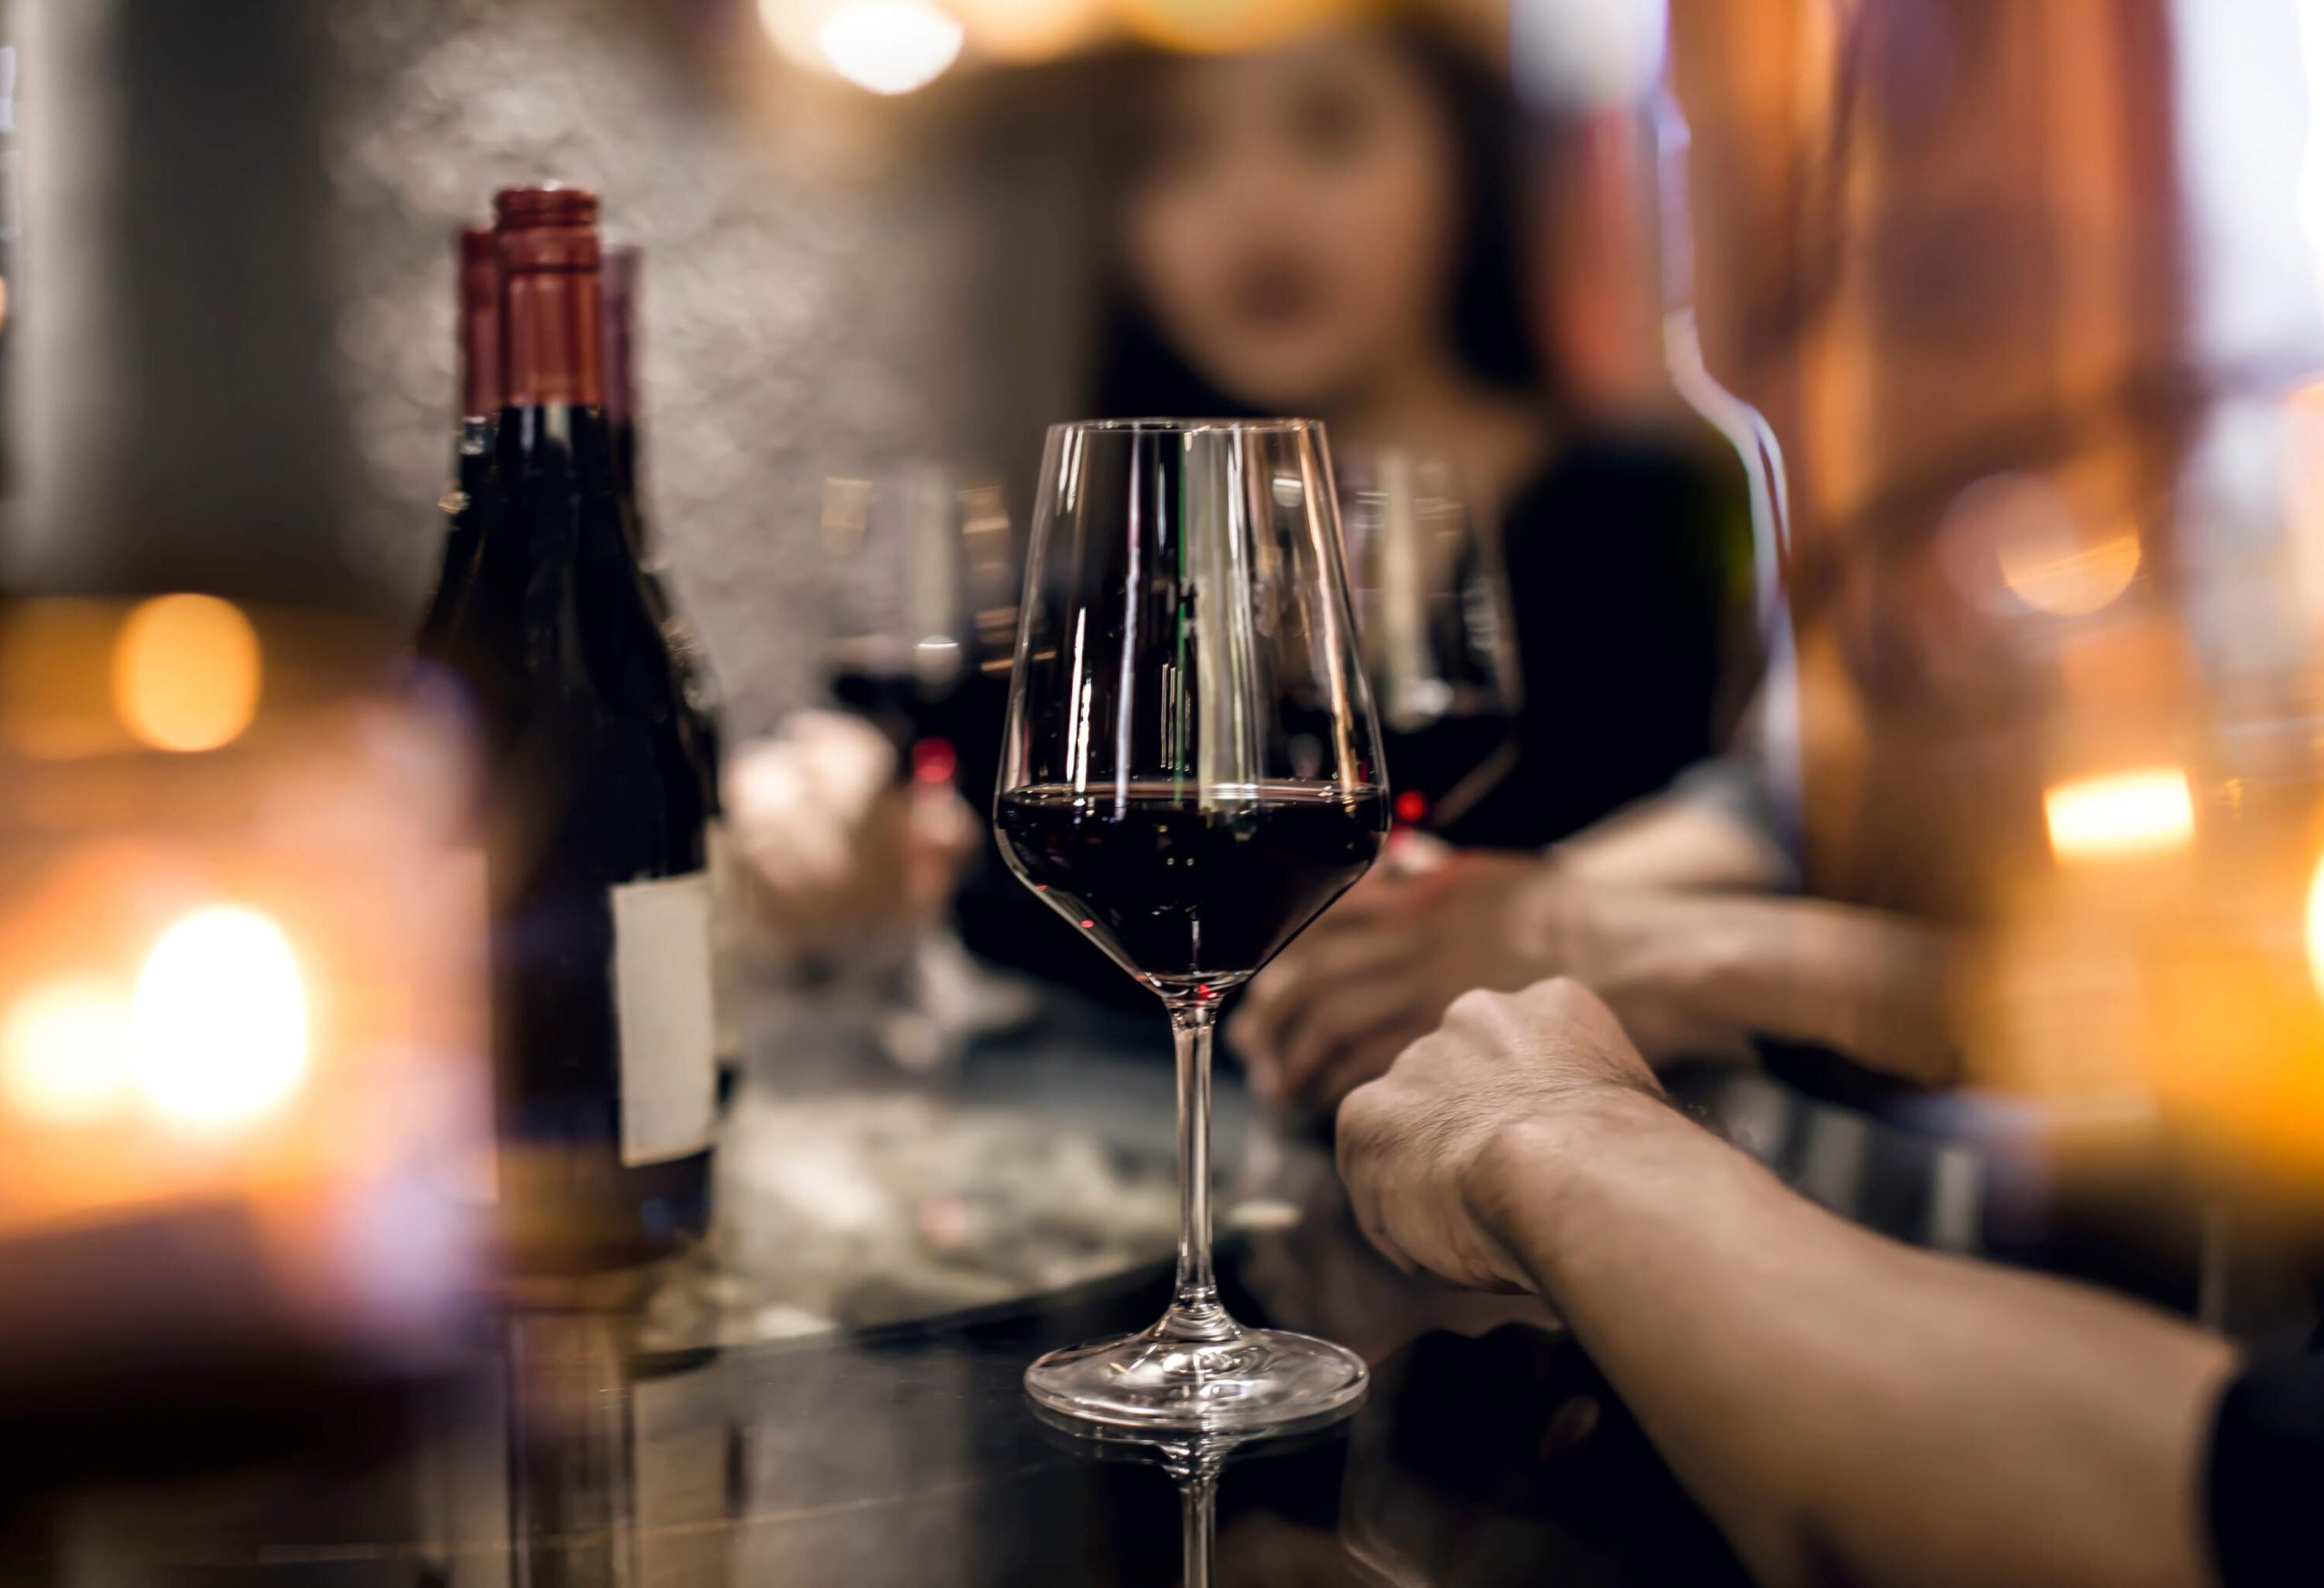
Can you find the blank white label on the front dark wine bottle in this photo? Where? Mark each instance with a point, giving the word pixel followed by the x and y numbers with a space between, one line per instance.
pixel 664 992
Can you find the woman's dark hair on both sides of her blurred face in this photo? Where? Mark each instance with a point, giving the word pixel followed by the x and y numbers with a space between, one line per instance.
pixel 1140 373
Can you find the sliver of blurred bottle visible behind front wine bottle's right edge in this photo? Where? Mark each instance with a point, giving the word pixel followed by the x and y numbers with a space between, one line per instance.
pixel 691 673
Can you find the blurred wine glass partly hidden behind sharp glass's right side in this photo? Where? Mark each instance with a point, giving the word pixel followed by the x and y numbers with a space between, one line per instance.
pixel 1440 643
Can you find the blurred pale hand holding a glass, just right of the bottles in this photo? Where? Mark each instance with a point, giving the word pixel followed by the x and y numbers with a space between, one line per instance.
pixel 835 857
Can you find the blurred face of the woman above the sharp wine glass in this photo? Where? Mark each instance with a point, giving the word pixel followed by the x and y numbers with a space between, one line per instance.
pixel 1293 220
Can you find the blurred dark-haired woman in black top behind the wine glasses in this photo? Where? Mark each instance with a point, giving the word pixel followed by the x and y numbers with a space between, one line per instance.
pixel 1330 229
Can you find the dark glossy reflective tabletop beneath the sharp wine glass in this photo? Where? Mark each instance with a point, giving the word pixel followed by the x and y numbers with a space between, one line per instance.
pixel 568 1452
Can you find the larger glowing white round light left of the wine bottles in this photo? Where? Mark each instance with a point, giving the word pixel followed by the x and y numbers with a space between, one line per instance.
pixel 220 1020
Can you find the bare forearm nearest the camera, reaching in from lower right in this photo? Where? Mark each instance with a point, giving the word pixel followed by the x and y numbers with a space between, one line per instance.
pixel 1849 1408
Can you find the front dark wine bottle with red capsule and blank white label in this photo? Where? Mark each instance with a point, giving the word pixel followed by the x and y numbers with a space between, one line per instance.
pixel 596 810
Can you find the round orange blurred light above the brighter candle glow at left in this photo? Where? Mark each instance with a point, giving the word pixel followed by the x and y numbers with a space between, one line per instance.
pixel 187 673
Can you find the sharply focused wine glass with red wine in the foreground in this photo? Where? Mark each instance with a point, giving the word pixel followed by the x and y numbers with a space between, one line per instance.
pixel 1191 775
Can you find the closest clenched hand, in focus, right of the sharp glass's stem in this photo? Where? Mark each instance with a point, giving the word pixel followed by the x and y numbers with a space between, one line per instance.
pixel 1419 1147
